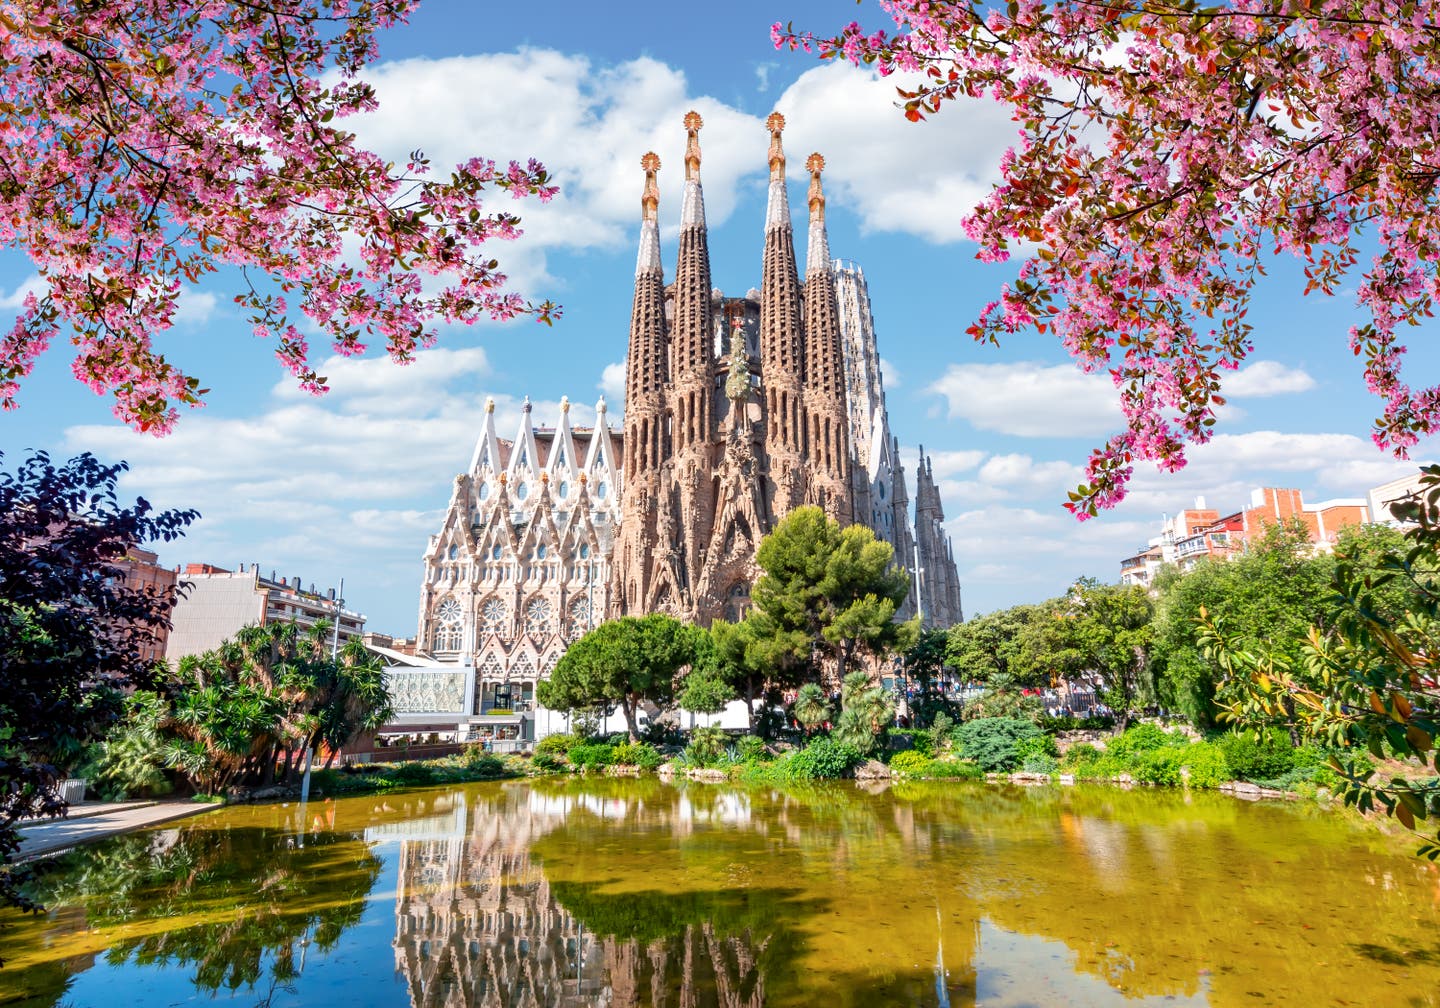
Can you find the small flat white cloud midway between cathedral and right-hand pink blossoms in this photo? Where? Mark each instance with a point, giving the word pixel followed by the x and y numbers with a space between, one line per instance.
pixel 1030 401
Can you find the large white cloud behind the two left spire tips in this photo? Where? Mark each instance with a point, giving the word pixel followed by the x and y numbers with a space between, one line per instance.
pixel 588 123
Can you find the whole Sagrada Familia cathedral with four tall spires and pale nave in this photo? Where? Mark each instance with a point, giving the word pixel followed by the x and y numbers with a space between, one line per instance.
pixel 738 410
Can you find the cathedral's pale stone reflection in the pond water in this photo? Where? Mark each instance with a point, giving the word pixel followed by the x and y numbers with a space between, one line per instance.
pixel 479 924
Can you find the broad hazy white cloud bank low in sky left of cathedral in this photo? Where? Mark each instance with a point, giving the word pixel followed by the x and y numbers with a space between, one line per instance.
pixel 319 487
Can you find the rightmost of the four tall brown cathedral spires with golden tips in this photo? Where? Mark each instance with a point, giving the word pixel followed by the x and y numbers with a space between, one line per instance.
pixel 826 437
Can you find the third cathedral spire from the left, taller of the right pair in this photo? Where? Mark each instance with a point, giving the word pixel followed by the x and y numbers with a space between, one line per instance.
pixel 783 348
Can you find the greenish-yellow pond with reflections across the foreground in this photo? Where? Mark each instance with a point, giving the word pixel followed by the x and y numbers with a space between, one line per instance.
pixel 621 892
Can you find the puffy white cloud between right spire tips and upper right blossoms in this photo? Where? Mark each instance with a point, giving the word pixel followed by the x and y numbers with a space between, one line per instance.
pixel 873 152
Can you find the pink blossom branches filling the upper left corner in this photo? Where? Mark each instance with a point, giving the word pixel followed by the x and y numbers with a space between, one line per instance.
pixel 148 143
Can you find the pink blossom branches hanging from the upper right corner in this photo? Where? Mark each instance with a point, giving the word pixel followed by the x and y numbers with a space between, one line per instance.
pixel 1167 150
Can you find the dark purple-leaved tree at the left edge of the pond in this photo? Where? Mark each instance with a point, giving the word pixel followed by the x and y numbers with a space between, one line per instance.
pixel 73 631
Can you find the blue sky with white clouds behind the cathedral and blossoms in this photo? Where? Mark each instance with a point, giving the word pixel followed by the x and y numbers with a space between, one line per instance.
pixel 351 486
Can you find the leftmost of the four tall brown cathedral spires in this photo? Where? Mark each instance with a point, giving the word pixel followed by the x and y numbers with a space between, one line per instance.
pixel 646 436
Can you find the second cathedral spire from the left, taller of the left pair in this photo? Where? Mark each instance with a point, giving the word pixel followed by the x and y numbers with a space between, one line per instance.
pixel 693 394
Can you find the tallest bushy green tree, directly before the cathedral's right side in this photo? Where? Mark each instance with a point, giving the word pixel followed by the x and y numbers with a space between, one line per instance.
pixel 827 594
